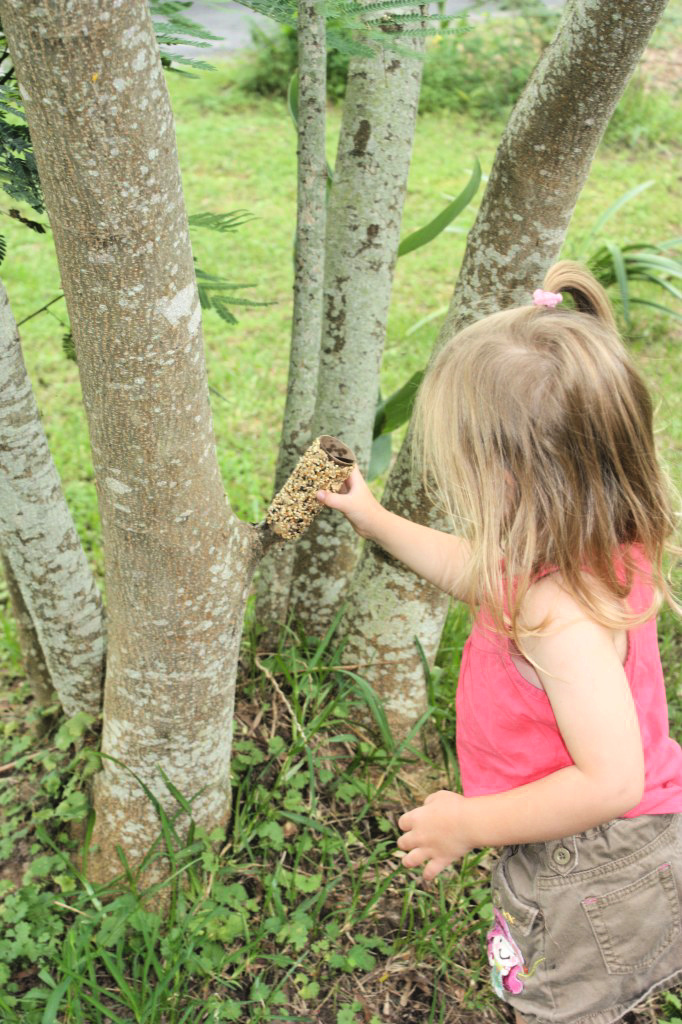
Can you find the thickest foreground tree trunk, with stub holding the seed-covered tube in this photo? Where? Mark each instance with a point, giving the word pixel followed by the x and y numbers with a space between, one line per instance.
pixel 178 563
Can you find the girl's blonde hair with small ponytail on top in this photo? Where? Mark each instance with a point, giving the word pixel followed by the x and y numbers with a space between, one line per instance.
pixel 536 434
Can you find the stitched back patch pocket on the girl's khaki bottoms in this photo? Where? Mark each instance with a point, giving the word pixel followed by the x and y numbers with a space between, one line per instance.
pixel 633 926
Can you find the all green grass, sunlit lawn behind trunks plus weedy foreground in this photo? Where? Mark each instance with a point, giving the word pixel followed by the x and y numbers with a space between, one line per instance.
pixel 302 913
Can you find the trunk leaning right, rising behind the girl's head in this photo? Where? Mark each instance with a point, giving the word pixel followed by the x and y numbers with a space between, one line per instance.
pixel 540 168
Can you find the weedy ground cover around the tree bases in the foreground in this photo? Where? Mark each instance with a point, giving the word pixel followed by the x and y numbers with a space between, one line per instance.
pixel 280 919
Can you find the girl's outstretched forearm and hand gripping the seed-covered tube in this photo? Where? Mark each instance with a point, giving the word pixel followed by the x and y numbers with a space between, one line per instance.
pixel 440 559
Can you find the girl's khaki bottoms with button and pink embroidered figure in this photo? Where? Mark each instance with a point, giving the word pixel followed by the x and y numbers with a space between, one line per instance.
pixel 587 927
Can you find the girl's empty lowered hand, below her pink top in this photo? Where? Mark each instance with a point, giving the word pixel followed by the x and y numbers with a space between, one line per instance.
pixel 436 833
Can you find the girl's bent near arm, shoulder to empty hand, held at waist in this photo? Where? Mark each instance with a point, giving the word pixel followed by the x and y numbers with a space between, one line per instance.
pixel 585 681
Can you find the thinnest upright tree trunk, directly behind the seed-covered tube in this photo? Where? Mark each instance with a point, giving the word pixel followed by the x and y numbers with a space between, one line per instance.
pixel 276 570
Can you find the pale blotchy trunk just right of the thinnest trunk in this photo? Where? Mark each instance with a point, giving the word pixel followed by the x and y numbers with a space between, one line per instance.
pixel 363 236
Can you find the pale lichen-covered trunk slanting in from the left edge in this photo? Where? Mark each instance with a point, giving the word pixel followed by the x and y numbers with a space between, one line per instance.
pixel 55 596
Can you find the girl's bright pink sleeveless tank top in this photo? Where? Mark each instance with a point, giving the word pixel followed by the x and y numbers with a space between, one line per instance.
pixel 507 735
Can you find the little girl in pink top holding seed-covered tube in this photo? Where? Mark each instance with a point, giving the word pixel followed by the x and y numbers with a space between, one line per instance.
pixel 536 433
